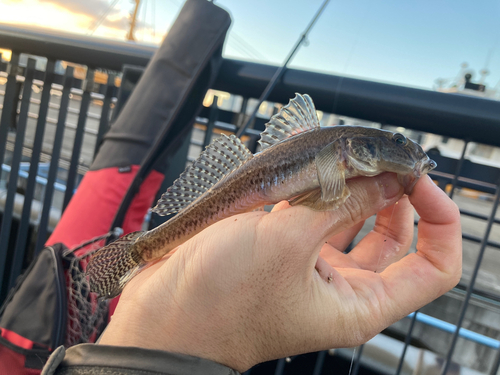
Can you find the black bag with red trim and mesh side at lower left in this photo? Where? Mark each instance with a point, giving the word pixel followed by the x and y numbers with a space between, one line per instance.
pixel 50 305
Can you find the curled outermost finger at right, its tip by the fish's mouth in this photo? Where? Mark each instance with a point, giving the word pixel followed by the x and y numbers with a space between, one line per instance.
pixel 420 278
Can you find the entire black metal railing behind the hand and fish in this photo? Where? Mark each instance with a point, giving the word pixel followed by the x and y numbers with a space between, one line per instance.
pixel 468 118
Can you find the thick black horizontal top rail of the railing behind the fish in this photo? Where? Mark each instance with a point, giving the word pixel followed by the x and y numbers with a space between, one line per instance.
pixel 423 110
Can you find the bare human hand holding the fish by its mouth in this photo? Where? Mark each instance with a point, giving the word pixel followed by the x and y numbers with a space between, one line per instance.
pixel 260 286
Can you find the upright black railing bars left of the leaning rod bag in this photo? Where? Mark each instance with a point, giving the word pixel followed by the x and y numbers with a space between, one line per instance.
pixel 47 139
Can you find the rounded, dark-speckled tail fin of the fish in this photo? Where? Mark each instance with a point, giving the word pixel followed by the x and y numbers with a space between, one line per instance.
pixel 113 266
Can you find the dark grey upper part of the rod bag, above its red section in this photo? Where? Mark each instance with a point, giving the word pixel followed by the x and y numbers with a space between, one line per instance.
pixel 170 92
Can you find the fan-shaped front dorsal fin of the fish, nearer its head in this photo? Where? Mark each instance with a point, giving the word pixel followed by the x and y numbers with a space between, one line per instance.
pixel 298 116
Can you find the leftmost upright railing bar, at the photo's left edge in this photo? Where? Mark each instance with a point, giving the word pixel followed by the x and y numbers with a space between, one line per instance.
pixel 8 102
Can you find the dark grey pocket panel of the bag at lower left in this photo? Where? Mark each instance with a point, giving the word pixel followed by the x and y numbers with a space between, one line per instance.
pixel 36 307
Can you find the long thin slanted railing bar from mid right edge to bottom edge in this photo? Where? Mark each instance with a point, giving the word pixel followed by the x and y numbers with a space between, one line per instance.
pixel 470 289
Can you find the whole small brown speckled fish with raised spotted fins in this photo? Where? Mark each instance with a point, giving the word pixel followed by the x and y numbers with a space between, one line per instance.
pixel 299 161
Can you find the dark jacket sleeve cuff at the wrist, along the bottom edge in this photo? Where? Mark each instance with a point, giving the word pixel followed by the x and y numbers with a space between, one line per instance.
pixel 110 360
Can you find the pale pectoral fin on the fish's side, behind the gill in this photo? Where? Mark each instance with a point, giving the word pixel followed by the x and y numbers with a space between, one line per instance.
pixel 331 173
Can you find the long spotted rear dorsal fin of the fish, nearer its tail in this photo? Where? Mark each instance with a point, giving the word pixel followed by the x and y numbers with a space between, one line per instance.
pixel 220 158
